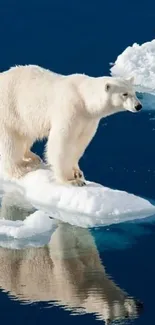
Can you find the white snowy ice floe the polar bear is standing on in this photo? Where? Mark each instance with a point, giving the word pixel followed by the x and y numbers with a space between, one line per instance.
pixel 90 206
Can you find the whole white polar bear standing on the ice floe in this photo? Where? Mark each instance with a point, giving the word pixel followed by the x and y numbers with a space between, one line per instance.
pixel 36 103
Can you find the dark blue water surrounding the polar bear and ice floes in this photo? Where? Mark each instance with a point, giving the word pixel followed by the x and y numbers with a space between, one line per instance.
pixel 85 36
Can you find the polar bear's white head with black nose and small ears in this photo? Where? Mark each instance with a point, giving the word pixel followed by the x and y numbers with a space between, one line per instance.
pixel 121 94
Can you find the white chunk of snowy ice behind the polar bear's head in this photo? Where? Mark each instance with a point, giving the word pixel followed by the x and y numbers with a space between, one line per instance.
pixel 138 61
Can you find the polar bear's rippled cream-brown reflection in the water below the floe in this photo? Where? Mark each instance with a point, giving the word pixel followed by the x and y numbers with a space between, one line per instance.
pixel 67 272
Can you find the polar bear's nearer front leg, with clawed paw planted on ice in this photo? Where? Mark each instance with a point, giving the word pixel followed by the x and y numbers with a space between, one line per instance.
pixel 61 156
